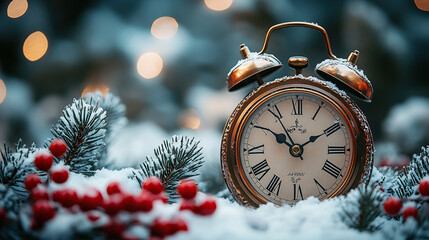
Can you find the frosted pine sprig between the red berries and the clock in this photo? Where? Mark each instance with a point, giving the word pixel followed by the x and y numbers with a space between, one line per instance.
pixel 174 161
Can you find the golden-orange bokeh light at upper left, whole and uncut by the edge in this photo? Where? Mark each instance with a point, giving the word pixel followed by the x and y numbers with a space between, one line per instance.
pixel 35 46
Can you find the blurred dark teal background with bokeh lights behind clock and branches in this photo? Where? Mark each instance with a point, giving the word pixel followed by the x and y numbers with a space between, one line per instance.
pixel 168 60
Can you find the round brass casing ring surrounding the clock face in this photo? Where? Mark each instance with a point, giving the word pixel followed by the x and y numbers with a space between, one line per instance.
pixel 362 157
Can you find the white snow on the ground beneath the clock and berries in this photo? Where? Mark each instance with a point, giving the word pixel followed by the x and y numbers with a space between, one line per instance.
pixel 309 219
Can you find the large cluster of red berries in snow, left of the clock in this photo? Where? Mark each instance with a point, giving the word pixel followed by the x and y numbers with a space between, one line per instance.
pixel 46 203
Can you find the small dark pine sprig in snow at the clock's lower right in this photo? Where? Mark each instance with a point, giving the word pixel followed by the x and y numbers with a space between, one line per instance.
pixel 360 213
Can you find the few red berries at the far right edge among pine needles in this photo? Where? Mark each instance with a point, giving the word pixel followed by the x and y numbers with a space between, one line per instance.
pixel 393 205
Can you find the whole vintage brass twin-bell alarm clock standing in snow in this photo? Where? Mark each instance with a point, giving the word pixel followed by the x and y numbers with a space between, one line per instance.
pixel 297 136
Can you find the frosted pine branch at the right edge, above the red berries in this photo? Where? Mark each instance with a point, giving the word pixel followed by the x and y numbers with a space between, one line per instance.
pixel 405 184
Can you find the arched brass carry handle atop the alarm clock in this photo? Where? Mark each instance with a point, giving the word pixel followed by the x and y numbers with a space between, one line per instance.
pixel 299 24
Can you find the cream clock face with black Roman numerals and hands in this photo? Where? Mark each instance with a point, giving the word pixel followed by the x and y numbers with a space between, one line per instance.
pixel 296 145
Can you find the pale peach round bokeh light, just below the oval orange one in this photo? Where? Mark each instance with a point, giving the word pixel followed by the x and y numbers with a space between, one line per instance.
pixel 150 65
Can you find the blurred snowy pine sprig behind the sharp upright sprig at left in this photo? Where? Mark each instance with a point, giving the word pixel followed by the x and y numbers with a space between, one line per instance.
pixel 115 118
